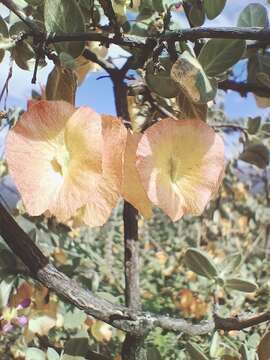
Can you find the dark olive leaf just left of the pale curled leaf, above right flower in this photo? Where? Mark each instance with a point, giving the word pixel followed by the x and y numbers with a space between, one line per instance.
pixel 159 81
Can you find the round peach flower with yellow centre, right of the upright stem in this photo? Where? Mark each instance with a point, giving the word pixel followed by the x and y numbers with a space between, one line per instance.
pixel 180 163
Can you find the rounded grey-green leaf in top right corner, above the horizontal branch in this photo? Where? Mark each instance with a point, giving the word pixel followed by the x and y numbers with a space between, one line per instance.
pixel 253 15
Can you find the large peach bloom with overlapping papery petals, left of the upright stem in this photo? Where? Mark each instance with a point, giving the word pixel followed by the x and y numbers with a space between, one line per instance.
pixel 62 160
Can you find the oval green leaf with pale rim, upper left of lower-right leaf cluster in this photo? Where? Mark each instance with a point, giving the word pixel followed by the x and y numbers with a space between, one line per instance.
pixel 200 263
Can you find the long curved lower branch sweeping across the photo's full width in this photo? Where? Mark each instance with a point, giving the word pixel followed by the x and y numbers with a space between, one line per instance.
pixel 116 315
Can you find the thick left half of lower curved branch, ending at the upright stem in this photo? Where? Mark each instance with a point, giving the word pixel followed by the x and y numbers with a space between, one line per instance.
pixel 48 275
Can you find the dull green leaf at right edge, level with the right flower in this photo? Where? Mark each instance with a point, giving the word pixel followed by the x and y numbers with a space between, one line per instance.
pixel 256 154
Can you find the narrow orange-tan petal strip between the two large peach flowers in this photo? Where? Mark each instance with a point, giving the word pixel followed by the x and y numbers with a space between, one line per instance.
pixel 132 189
